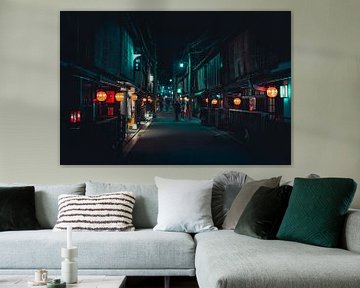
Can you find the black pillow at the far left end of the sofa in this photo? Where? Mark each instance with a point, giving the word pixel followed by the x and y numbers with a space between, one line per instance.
pixel 17 208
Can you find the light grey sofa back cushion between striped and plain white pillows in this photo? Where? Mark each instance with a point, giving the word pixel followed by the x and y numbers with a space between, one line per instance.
pixel 146 205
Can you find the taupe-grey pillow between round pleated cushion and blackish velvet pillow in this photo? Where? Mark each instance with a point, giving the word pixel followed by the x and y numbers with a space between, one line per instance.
pixel 242 199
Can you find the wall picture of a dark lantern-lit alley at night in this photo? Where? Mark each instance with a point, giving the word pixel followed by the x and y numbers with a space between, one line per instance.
pixel 175 88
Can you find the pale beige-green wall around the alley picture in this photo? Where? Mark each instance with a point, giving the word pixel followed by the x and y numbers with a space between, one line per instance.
pixel 326 82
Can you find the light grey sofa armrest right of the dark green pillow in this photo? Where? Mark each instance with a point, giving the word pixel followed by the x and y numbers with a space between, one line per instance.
pixel 351 234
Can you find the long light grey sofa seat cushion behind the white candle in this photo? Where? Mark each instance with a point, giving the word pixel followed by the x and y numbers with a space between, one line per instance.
pixel 142 249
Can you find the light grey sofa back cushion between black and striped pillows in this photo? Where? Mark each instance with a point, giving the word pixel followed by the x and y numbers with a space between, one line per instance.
pixel 46 200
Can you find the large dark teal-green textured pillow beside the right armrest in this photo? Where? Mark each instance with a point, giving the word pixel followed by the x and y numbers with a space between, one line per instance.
pixel 316 211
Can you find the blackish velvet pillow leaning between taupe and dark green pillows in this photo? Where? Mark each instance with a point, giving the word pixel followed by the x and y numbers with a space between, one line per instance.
pixel 264 213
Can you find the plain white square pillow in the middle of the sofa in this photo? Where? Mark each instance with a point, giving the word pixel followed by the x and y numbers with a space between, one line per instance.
pixel 184 205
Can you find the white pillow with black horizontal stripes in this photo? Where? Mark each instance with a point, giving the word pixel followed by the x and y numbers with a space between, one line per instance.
pixel 105 212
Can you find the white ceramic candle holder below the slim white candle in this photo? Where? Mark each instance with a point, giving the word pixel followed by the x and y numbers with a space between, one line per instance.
pixel 69 265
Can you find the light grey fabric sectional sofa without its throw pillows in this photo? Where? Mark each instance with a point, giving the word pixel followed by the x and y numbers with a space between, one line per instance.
pixel 219 259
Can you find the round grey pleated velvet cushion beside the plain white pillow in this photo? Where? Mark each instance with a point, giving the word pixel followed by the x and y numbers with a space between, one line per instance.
pixel 226 187
